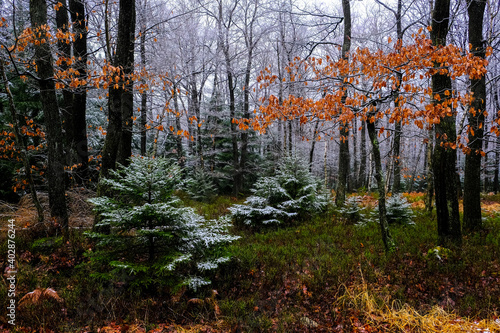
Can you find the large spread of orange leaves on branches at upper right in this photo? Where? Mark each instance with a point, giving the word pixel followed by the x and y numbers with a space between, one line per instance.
pixel 374 76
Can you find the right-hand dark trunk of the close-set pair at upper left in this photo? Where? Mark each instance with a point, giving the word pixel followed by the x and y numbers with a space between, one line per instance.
pixel 79 107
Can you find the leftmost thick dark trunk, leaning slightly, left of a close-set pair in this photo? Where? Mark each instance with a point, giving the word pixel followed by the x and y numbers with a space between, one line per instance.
pixel 54 135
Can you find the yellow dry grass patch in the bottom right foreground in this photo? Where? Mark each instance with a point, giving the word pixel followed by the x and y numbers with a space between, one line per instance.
pixel 389 316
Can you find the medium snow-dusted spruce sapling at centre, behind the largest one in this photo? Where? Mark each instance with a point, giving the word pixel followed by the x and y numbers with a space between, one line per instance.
pixel 291 194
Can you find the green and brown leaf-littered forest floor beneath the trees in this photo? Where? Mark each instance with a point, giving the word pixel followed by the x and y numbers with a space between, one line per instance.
pixel 327 274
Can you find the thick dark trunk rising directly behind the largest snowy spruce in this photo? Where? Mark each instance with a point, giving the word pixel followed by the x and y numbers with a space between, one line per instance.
pixel 118 142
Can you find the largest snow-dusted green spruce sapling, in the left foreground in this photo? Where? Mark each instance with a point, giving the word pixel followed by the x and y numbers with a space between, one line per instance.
pixel 153 240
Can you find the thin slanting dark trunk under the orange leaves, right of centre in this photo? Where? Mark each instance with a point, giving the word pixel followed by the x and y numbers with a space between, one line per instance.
pixel 389 245
